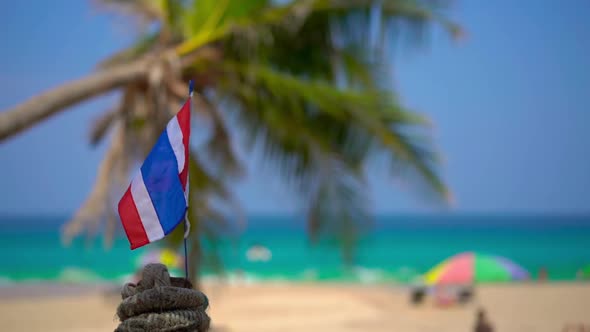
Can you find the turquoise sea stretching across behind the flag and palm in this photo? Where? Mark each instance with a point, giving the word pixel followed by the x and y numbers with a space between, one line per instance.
pixel 395 250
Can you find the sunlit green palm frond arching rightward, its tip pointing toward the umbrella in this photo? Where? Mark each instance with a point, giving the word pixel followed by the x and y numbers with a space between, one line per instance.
pixel 300 104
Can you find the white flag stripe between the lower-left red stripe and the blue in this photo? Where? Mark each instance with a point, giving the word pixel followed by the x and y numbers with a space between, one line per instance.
pixel 145 208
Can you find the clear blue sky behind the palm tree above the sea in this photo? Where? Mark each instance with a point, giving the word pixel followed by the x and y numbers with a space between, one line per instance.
pixel 510 104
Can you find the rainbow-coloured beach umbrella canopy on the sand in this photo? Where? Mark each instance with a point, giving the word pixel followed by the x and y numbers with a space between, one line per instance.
pixel 470 268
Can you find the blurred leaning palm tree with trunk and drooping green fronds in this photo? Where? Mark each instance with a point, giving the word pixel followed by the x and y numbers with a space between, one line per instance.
pixel 305 81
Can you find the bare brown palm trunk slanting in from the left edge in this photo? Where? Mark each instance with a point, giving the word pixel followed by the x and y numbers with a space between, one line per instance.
pixel 38 108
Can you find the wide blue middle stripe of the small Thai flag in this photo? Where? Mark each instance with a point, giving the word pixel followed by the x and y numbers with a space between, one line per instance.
pixel 160 175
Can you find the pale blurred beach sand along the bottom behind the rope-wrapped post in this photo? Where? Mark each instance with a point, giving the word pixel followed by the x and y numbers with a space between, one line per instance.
pixel 309 307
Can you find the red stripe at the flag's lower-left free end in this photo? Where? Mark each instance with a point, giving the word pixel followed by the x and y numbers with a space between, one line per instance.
pixel 131 221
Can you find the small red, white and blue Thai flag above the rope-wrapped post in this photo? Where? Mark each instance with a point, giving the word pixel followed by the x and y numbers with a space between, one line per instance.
pixel 157 198
